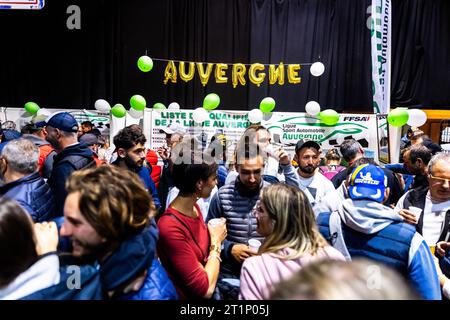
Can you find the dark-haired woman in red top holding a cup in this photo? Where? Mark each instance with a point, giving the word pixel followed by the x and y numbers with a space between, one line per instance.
pixel 189 250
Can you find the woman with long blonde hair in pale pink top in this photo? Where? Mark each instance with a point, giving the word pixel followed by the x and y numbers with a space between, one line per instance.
pixel 286 219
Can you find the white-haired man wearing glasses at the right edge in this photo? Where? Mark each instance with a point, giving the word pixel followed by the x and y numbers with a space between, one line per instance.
pixel 428 207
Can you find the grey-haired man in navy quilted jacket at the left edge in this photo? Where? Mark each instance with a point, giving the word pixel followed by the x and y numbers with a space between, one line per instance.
pixel 19 164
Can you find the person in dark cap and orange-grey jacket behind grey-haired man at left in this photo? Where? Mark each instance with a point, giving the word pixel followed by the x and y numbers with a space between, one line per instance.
pixel 35 132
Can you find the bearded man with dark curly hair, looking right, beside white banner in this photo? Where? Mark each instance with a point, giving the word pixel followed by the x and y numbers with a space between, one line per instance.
pixel 129 143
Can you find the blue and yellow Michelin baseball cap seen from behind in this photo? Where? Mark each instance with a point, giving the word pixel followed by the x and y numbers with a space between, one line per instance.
pixel 367 181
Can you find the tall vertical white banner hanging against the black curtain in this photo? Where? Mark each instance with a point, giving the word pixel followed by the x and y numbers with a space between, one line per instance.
pixel 381 55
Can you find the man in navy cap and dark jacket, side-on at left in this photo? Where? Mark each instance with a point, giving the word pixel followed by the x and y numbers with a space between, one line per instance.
pixel 62 130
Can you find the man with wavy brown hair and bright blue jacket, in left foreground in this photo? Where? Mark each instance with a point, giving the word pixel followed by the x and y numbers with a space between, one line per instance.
pixel 108 217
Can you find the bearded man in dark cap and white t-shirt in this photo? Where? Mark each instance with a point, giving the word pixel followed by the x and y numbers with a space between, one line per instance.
pixel 310 179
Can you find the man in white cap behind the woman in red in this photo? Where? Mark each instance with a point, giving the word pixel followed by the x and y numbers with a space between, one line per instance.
pixel 174 135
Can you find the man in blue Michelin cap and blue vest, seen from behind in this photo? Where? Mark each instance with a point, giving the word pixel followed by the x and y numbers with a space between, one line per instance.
pixel 365 227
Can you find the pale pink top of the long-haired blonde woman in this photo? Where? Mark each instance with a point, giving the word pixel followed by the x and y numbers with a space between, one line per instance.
pixel 260 274
